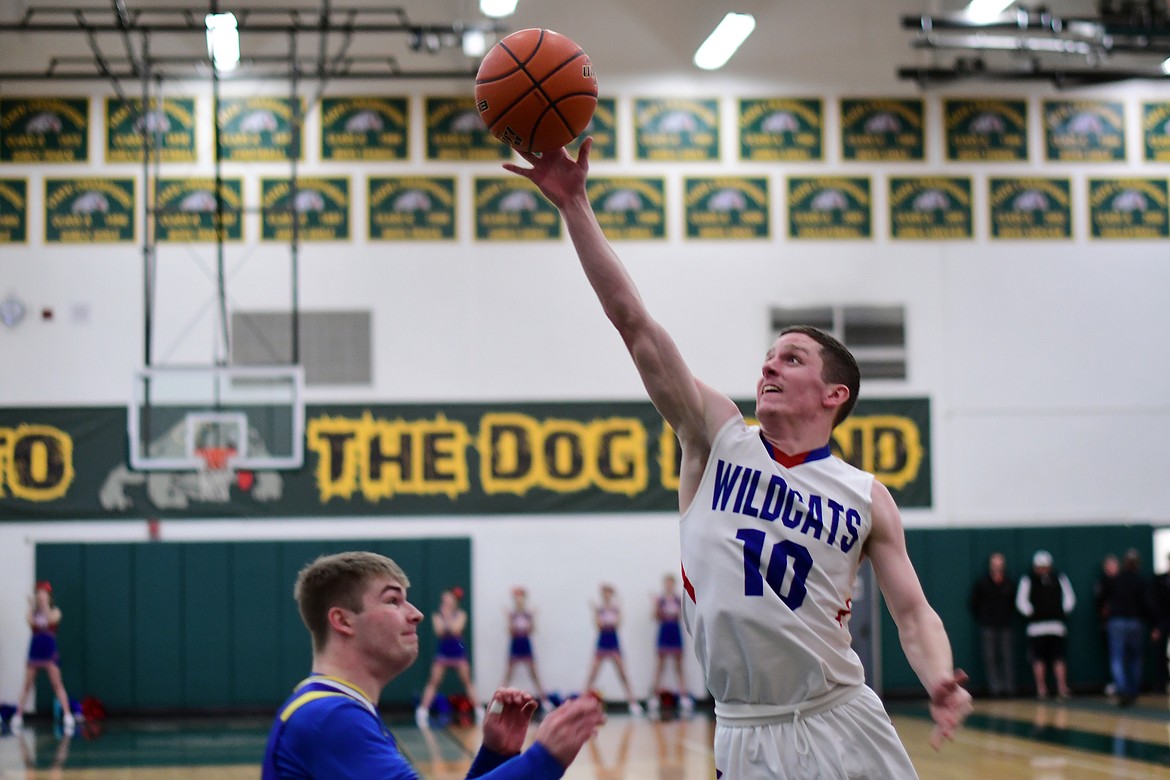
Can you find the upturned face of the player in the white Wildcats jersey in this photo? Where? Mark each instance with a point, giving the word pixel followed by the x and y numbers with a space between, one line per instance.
pixel 790 381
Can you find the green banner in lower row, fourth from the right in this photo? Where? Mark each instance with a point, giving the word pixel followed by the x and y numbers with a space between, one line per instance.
pixel 830 208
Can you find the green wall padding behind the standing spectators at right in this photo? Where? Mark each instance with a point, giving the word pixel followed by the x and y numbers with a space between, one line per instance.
pixel 951 561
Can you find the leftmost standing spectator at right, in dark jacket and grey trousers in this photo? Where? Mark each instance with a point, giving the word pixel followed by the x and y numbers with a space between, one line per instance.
pixel 993 603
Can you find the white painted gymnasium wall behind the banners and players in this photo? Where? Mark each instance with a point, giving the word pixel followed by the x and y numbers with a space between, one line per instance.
pixel 1045 362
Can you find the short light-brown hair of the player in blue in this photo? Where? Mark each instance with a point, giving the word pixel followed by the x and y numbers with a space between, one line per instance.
pixel 339 582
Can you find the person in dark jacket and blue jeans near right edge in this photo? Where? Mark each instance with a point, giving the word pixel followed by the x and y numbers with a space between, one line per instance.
pixel 1123 604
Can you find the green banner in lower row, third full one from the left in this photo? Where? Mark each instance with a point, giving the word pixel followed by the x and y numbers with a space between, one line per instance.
pixel 321 205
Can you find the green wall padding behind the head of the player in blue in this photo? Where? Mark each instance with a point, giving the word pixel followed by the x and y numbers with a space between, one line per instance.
pixel 214 626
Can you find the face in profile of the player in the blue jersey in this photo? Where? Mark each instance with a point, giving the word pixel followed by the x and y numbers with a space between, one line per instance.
pixel 388 626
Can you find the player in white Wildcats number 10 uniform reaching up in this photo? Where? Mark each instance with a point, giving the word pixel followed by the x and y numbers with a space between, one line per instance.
pixel 773 531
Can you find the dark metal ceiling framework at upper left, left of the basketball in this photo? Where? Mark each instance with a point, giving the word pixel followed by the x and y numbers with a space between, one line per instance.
pixel 335 30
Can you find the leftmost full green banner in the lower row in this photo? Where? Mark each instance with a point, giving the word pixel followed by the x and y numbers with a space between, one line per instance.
pixel 90 211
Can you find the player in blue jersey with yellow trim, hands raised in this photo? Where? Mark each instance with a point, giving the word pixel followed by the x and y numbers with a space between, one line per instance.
pixel 364 634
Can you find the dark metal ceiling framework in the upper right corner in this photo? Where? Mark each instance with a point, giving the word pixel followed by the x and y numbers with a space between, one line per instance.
pixel 1128 40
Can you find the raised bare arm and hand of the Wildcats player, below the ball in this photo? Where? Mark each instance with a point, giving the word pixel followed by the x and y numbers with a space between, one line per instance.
pixel 694 411
